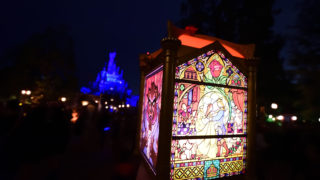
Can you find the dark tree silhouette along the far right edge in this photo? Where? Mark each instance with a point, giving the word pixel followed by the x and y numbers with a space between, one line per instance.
pixel 305 55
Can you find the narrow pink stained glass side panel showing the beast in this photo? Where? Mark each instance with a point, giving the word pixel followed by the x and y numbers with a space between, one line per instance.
pixel 151 116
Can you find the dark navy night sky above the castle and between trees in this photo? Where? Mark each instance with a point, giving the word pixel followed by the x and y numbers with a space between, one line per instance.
pixel 98 27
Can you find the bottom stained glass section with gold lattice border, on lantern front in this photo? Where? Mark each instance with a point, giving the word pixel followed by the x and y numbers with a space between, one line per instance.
pixel 208 158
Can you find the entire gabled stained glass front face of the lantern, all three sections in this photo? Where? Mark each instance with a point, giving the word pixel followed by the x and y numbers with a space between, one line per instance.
pixel 209 119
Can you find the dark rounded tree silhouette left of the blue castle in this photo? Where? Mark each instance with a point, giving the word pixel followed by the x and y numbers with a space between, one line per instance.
pixel 43 64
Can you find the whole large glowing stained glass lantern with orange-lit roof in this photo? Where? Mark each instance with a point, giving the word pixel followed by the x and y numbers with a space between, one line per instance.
pixel 197 107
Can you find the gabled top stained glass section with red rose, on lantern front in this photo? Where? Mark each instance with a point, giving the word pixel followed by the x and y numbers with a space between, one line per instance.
pixel 211 67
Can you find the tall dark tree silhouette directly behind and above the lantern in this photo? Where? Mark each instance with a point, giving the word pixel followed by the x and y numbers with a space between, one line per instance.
pixel 246 21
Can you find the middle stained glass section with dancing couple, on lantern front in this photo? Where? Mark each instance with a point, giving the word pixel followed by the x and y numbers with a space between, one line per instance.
pixel 208 110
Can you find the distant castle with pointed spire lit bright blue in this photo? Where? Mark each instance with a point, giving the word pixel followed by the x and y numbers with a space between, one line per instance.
pixel 110 81
